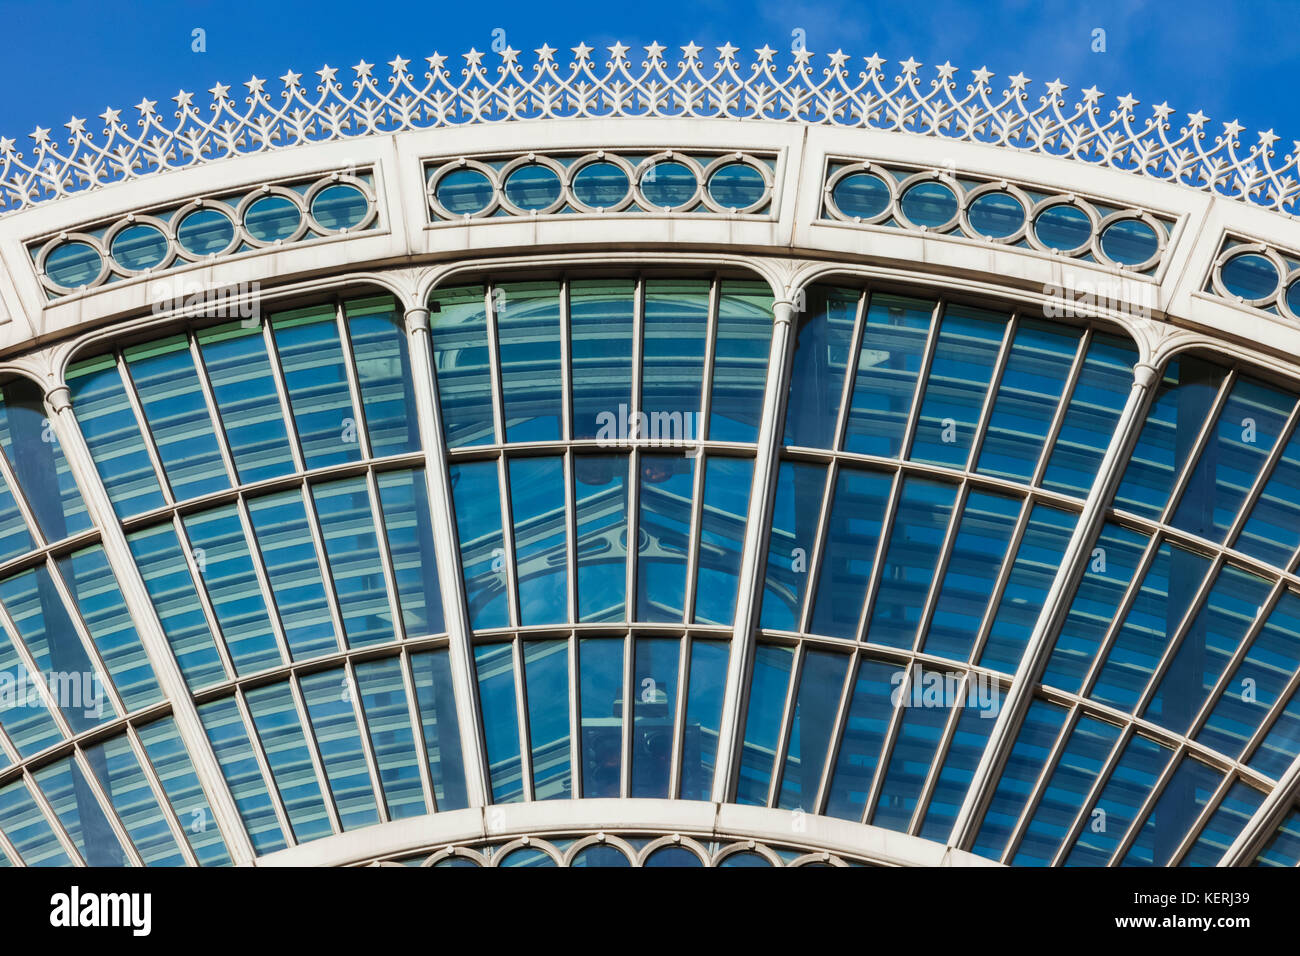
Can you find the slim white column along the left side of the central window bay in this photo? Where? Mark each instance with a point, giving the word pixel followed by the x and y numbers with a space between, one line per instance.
pixel 445 544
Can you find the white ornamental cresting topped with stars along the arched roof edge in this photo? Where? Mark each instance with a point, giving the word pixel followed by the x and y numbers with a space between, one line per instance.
pixel 827 92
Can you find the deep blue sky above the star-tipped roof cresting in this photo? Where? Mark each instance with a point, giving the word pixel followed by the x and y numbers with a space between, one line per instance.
pixel 1232 60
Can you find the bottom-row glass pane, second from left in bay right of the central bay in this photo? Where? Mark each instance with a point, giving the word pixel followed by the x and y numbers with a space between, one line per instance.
pixel 812 726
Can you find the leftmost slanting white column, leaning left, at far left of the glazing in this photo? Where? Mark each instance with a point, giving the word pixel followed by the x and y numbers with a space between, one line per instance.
pixel 153 639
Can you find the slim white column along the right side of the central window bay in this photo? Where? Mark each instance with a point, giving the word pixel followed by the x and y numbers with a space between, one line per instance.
pixel 749 592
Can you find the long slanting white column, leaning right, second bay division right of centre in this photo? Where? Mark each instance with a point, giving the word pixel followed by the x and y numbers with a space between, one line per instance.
pixel 1055 609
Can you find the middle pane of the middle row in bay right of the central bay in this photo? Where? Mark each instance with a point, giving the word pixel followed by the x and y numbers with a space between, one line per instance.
pixel 916 539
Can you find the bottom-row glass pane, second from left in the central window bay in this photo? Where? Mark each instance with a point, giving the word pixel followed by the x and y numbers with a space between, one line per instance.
pixel 547 668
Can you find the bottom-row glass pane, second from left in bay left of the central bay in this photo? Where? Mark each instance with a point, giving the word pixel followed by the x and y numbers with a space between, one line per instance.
pixel 275 716
